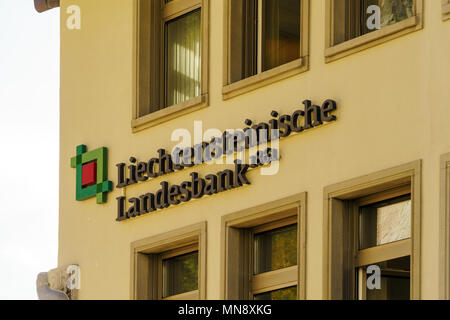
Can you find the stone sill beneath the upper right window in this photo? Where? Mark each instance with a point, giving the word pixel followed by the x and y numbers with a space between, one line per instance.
pixel 372 39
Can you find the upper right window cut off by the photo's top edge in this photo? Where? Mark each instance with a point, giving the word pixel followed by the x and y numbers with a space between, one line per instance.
pixel 352 26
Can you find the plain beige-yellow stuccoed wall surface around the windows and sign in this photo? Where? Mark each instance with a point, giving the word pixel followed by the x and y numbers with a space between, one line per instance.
pixel 394 107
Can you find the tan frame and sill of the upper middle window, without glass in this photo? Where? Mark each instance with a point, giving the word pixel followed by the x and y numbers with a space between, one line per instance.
pixel 230 90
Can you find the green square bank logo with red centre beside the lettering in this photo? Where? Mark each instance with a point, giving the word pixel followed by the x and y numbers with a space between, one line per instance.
pixel 92 174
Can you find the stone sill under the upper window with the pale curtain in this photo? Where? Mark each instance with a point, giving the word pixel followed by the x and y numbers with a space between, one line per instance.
pixel 169 113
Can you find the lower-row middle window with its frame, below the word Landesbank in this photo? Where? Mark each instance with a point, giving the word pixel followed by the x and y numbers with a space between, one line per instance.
pixel 264 251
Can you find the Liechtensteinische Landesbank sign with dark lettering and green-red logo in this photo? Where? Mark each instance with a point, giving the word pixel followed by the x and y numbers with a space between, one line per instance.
pixel 256 145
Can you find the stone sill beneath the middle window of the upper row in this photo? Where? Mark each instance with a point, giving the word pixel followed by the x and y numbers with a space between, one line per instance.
pixel 265 78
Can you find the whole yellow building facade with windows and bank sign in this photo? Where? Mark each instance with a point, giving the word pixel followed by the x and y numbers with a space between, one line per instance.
pixel 348 198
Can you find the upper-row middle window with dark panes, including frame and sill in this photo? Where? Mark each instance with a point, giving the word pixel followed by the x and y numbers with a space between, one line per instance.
pixel 266 40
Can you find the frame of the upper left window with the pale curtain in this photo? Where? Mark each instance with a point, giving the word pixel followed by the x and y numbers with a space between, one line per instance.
pixel 157 19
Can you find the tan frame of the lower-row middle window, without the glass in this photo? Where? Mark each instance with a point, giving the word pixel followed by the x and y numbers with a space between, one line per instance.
pixel 237 269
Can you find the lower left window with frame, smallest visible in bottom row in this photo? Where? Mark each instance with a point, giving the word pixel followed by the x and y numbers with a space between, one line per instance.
pixel 170 266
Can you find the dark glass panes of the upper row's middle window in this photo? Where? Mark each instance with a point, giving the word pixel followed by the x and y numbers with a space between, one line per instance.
pixel 262 38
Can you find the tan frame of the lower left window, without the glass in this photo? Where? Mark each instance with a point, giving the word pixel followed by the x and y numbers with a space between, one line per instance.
pixel 146 262
